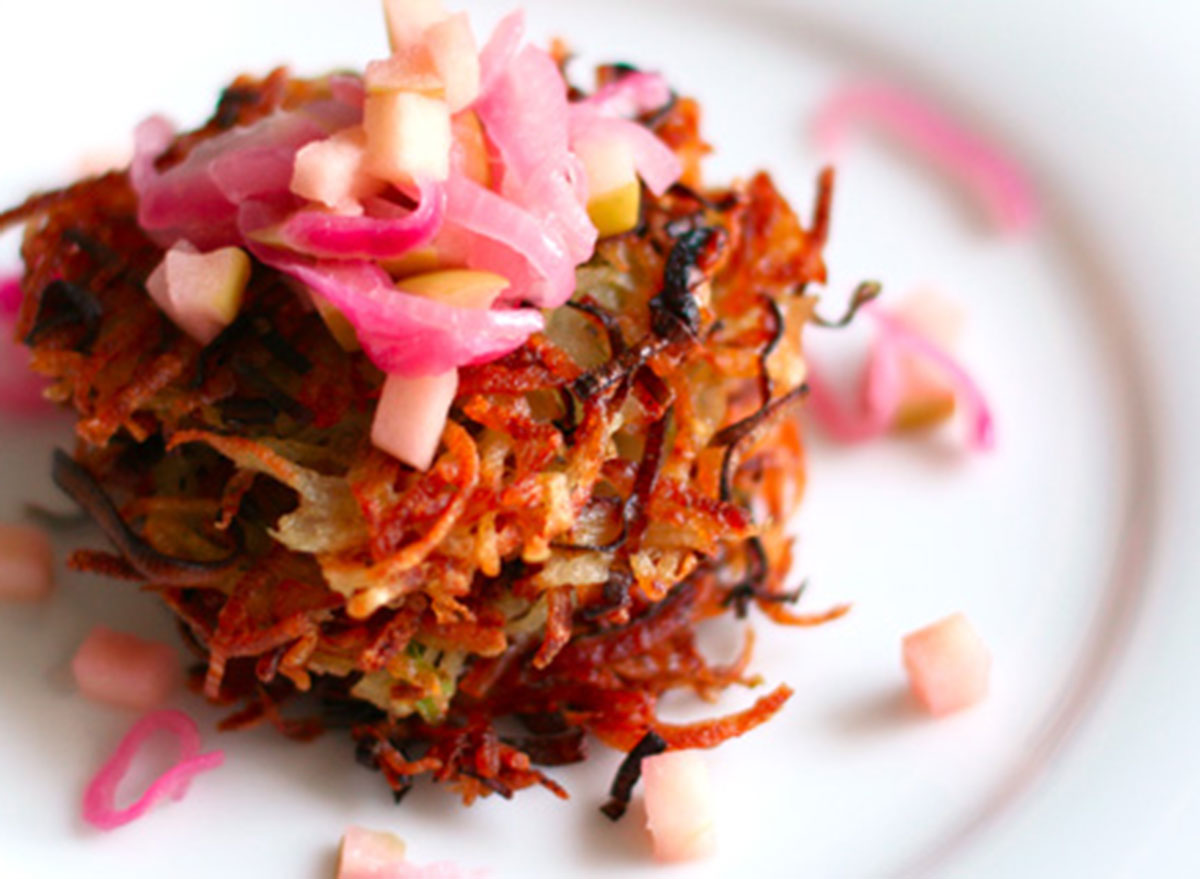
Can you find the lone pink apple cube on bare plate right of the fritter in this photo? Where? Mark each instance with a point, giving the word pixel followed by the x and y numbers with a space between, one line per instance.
pixel 949 666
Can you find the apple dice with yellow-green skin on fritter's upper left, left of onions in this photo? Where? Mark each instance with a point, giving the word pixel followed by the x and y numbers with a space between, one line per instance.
pixel 201 294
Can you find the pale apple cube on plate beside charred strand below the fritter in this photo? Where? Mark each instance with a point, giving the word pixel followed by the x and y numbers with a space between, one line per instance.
pixel 680 805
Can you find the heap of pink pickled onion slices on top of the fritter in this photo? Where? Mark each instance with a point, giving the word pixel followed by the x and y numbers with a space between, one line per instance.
pixel 532 228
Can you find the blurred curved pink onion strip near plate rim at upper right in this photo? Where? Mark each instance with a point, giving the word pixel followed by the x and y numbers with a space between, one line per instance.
pixel 1000 183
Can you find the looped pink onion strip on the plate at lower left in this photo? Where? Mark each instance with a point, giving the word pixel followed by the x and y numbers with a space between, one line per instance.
pixel 99 800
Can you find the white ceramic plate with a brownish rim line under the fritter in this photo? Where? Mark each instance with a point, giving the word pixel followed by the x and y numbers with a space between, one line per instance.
pixel 1067 547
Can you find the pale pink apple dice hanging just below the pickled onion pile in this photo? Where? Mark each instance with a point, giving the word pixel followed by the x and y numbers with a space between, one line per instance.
pixel 412 415
